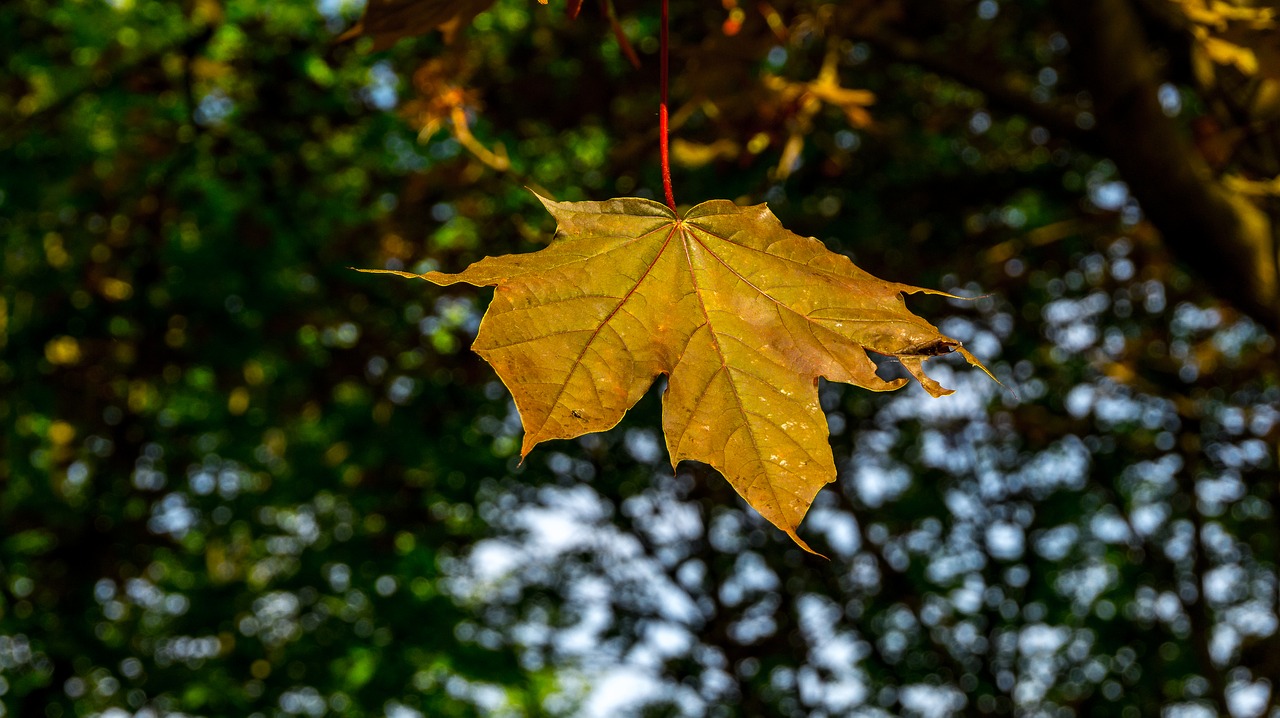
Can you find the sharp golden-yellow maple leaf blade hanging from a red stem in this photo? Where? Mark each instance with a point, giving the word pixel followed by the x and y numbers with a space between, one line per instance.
pixel 742 314
